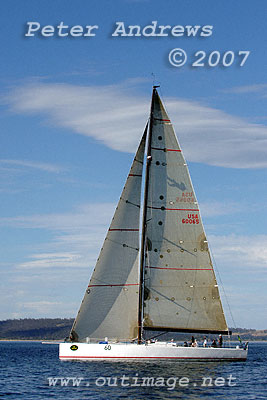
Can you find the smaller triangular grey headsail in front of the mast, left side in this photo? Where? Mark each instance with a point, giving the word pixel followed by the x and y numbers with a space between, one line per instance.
pixel 110 304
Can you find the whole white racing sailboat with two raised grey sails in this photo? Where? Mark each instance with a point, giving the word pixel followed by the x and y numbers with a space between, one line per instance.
pixel 154 273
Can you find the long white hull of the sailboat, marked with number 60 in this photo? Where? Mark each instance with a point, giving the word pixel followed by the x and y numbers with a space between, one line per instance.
pixel 146 352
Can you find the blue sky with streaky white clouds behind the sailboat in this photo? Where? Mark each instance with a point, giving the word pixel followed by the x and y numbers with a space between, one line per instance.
pixel 72 111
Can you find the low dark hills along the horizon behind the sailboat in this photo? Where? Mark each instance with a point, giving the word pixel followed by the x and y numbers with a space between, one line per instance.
pixel 59 328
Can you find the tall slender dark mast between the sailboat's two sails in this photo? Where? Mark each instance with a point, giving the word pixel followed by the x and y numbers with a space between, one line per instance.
pixel 143 250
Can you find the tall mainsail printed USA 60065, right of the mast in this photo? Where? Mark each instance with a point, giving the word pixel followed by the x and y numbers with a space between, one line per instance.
pixel 181 292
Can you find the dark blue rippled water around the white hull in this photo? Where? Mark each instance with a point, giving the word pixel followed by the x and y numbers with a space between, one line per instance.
pixel 27 366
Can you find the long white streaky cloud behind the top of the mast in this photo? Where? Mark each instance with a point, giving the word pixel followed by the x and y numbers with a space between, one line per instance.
pixel 116 117
